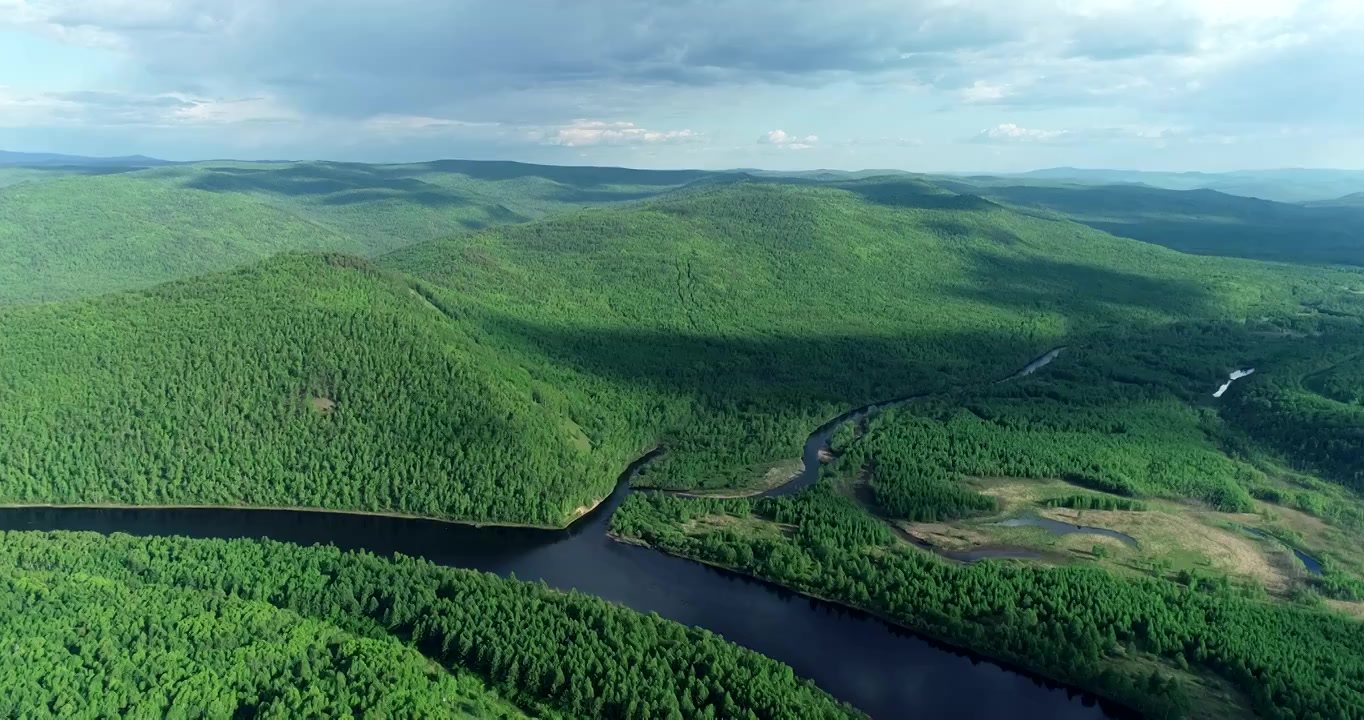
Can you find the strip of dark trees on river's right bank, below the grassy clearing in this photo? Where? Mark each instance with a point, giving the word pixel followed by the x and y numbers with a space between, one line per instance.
pixel 1077 624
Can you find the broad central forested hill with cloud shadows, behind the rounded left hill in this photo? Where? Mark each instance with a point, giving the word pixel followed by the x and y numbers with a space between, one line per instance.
pixel 729 321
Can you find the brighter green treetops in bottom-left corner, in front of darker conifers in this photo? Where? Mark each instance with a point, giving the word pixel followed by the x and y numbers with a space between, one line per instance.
pixel 87 646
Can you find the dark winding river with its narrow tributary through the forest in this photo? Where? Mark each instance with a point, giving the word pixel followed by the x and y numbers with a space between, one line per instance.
pixel 878 667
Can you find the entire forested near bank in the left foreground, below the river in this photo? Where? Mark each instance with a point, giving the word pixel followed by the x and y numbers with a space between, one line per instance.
pixel 276 631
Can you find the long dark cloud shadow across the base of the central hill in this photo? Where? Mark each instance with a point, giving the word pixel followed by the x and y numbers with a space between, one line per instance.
pixel 755 374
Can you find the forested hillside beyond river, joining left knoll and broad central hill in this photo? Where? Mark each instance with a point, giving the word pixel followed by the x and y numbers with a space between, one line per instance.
pixel 526 366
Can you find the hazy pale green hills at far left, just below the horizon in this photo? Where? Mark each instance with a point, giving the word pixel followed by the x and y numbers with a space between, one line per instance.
pixel 89 235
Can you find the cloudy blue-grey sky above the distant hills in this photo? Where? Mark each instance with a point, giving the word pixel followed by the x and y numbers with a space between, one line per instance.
pixel 919 85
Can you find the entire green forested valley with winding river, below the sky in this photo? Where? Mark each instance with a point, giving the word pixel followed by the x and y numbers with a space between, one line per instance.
pixel 455 362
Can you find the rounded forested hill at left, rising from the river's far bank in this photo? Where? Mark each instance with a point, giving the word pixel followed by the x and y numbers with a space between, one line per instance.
pixel 305 381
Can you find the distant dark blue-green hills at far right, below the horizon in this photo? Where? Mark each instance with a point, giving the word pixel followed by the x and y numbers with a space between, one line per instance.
pixel 1198 222
